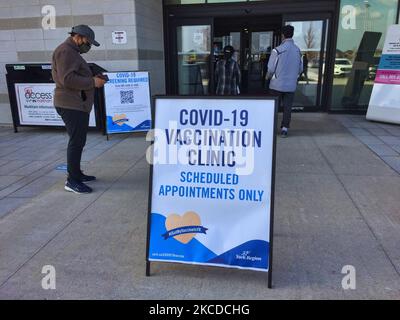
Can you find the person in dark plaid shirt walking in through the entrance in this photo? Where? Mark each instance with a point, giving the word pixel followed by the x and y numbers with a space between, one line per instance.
pixel 227 74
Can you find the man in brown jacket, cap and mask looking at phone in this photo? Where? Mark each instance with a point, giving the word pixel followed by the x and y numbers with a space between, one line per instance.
pixel 73 99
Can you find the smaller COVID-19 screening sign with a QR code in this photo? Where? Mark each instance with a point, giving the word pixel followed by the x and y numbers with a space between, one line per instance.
pixel 127 102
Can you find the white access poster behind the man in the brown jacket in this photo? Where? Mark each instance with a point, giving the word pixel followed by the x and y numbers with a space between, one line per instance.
pixel 36 107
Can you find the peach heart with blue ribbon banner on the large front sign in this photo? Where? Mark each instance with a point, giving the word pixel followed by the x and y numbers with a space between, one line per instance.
pixel 183 228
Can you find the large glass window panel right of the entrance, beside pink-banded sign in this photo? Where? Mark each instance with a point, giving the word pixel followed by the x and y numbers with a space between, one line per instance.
pixel 361 35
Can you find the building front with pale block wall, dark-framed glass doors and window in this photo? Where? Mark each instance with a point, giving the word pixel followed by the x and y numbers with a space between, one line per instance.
pixel 179 42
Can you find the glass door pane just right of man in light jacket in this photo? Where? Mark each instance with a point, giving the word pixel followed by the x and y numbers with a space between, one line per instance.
pixel 310 37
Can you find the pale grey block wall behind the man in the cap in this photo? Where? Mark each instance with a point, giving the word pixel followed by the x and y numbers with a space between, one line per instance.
pixel 27 36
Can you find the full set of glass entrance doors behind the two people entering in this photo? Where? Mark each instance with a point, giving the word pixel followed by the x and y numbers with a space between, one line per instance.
pixel 195 45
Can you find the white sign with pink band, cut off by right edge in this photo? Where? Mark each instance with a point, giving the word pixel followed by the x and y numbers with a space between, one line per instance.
pixel 384 104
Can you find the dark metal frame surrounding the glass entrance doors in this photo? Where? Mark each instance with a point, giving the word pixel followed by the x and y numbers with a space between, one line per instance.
pixel 193 14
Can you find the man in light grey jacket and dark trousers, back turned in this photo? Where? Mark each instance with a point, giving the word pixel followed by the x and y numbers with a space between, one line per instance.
pixel 284 67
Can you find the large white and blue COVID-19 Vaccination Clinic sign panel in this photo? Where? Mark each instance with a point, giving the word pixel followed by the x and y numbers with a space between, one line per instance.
pixel 212 185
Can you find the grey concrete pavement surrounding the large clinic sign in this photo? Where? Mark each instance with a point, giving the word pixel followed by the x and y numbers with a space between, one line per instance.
pixel 337 204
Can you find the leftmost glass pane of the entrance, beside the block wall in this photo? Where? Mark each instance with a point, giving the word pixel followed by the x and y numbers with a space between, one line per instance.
pixel 194 48
